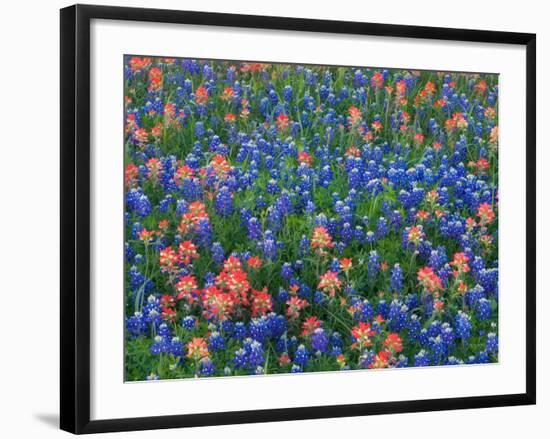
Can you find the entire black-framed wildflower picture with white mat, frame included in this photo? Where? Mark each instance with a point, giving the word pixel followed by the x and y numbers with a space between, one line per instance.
pixel 268 218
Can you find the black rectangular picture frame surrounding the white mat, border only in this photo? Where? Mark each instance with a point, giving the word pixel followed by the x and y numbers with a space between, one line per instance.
pixel 75 217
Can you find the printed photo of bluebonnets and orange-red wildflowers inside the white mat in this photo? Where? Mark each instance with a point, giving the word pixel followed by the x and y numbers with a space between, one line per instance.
pixel 297 218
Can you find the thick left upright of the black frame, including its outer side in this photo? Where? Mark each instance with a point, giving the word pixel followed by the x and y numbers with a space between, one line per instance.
pixel 75 219
